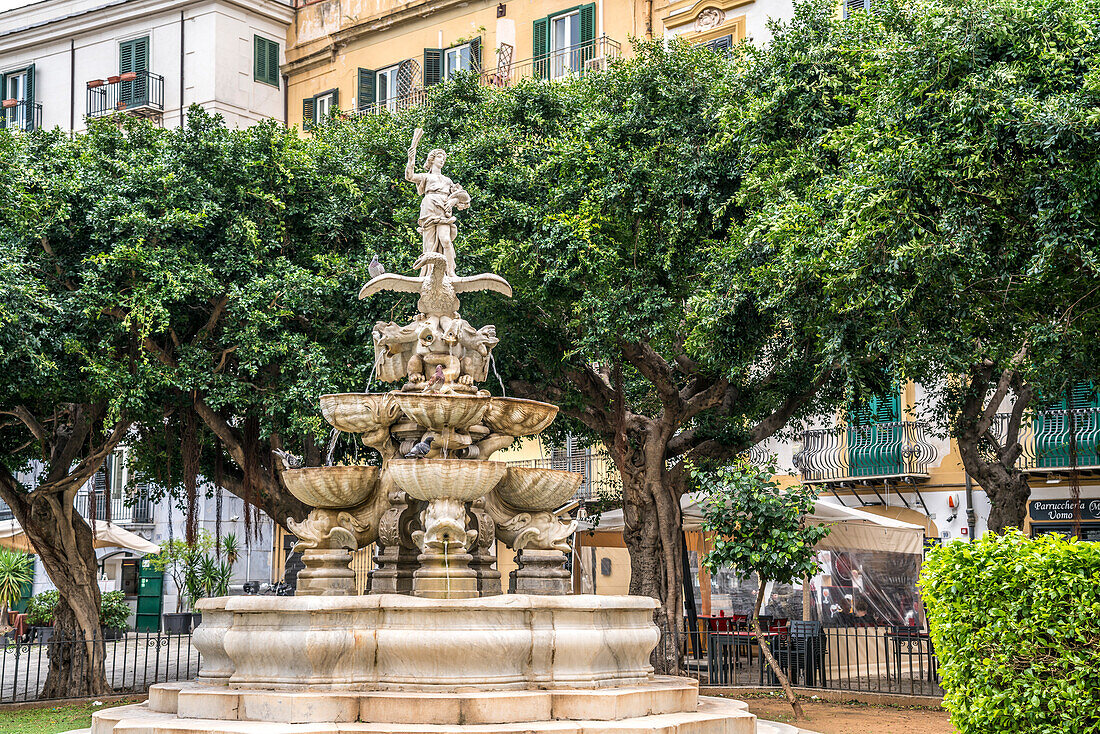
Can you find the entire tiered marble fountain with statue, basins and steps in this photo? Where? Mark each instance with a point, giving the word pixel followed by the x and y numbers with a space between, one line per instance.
pixel 435 647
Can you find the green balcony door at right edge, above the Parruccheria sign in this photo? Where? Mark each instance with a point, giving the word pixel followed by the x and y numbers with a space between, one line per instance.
pixel 1079 411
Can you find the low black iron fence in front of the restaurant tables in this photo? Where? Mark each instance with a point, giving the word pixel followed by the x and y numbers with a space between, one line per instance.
pixel 874 660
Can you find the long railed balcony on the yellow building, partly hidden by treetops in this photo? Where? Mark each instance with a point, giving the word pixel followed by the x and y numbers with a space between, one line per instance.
pixel 573 62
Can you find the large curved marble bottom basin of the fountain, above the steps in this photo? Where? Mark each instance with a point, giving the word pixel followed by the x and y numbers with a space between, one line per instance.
pixel 395 642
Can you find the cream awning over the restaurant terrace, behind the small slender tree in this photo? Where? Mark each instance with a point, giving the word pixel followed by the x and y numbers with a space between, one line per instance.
pixel 852 530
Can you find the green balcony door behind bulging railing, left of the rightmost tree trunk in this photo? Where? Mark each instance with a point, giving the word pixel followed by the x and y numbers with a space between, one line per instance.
pixel 875 437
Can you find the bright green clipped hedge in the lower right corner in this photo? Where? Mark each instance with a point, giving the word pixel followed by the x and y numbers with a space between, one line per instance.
pixel 1017 628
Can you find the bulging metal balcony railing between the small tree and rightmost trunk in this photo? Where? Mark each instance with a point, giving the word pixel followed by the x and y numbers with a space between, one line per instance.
pixel 897 450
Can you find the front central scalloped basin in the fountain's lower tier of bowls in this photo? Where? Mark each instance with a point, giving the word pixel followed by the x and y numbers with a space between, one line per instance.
pixel 465 480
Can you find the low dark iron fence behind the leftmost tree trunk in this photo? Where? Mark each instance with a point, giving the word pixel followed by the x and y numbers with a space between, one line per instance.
pixel 134 662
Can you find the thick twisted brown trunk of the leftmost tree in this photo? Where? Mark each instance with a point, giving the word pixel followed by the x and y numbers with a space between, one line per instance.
pixel 64 543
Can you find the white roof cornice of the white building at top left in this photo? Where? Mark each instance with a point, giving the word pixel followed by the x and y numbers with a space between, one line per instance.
pixel 113 14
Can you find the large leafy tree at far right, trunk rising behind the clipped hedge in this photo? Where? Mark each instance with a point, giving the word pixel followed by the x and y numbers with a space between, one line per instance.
pixel 948 201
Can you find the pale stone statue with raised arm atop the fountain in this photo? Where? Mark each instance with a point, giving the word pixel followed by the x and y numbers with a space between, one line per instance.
pixel 442 196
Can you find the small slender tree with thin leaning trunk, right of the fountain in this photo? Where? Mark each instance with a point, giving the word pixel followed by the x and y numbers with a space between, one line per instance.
pixel 761 529
